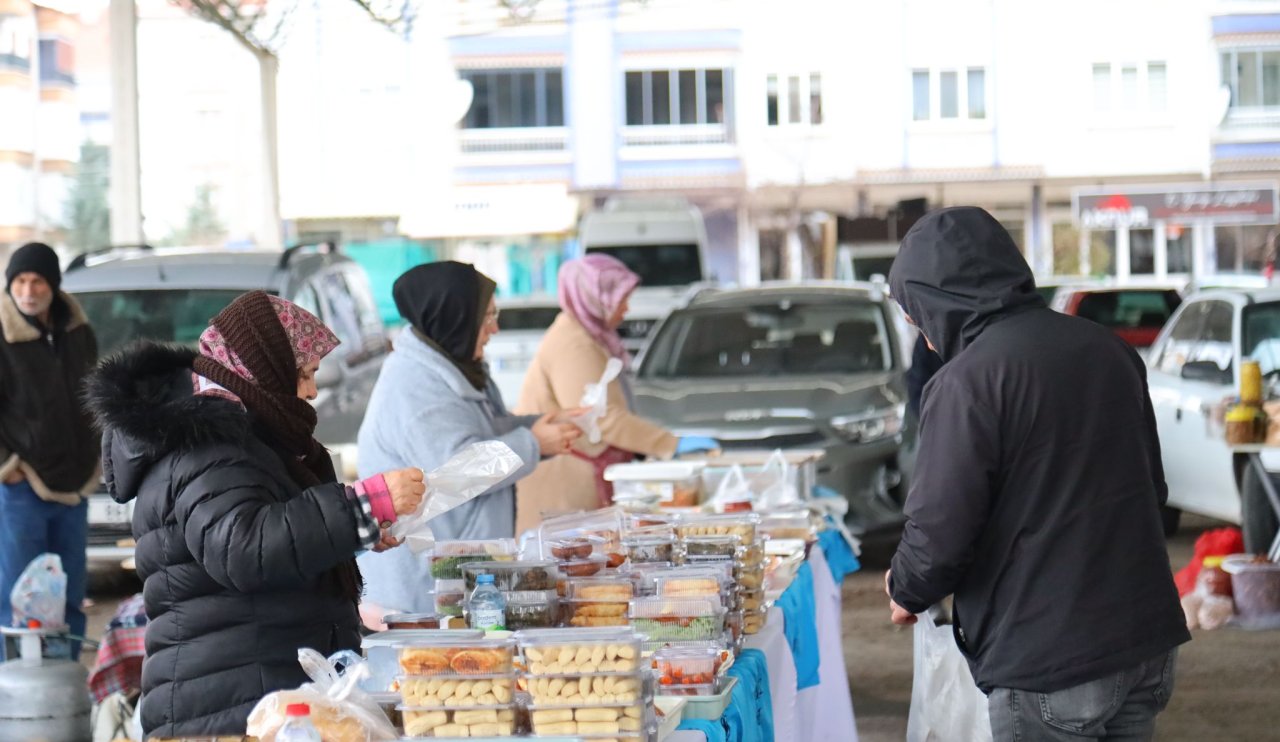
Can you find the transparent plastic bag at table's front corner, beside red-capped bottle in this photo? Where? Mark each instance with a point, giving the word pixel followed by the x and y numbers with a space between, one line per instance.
pixel 340 711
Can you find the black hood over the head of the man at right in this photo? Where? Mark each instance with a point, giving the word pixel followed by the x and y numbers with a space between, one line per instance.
pixel 957 273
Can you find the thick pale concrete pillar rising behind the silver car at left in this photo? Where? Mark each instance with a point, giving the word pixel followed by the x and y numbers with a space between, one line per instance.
pixel 126 150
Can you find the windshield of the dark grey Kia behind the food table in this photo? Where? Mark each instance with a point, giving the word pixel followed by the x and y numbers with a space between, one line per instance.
pixel 772 340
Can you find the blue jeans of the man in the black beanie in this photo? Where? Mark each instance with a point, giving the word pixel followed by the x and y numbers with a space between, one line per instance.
pixel 30 528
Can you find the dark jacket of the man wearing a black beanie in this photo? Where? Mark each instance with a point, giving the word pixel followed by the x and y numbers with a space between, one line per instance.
pixel 44 428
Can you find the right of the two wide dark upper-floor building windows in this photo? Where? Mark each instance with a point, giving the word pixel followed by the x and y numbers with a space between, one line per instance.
pixel 688 97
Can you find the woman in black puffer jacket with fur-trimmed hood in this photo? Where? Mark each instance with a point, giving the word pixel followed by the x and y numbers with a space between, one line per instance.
pixel 246 541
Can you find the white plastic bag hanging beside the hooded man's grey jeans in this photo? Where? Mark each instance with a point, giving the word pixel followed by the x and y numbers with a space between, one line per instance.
pixel 947 704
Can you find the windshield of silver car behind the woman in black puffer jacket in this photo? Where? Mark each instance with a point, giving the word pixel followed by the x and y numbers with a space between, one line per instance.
pixel 166 315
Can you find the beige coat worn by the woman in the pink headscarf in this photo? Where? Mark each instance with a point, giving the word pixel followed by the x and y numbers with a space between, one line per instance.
pixel 566 363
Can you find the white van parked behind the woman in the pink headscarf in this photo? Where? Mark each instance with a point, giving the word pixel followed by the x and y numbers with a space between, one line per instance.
pixel 660 237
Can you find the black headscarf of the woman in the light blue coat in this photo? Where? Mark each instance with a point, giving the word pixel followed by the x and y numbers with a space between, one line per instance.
pixel 446 304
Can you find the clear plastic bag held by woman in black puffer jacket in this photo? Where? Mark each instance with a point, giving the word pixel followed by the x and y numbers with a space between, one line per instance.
pixel 469 474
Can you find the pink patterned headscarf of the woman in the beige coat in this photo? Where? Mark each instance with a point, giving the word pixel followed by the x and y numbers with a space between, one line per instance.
pixel 591 290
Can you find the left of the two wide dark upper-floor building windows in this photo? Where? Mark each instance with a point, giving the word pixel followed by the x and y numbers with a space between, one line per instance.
pixel 514 99
